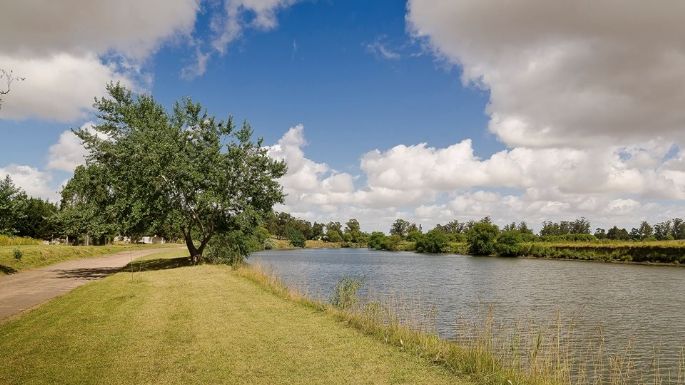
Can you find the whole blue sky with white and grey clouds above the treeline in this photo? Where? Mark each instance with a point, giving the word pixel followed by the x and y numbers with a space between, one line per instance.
pixel 428 110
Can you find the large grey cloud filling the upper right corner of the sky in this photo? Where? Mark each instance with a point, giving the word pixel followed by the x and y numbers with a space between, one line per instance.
pixel 566 73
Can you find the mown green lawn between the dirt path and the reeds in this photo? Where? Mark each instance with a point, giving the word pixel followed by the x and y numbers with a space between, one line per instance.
pixel 195 325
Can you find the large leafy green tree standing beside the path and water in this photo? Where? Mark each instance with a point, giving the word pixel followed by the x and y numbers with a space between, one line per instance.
pixel 183 172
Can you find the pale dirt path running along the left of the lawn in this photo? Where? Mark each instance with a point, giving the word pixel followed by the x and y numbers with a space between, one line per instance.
pixel 27 289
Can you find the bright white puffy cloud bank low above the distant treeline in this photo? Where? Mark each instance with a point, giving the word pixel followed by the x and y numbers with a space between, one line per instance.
pixel 609 185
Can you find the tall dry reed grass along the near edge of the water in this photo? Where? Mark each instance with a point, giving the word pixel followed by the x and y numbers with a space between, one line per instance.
pixel 486 352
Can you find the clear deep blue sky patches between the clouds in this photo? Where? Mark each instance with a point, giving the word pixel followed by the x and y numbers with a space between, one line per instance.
pixel 314 69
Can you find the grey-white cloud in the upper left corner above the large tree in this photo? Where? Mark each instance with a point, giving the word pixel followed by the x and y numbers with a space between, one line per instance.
pixel 69 50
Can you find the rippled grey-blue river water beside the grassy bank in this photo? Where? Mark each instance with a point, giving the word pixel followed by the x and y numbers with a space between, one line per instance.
pixel 640 305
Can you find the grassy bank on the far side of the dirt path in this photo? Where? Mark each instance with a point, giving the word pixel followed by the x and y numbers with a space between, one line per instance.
pixel 43 255
